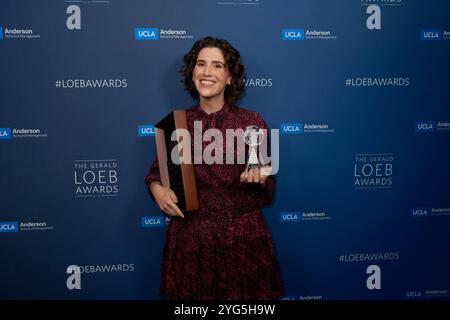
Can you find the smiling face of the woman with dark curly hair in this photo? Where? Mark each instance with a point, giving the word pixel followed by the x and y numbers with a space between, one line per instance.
pixel 210 74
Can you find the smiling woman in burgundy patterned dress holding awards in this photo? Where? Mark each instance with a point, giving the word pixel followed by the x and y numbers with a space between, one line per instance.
pixel 224 250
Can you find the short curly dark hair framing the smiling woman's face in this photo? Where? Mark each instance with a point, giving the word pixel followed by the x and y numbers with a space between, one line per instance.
pixel 232 63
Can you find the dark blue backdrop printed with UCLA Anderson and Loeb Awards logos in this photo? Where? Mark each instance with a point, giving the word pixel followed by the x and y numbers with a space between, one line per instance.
pixel 359 90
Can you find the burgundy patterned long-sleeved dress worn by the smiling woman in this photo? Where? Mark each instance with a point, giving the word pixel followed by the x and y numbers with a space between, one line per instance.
pixel 224 250
